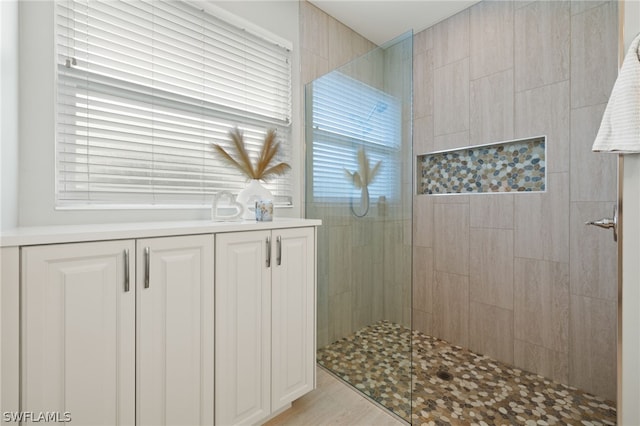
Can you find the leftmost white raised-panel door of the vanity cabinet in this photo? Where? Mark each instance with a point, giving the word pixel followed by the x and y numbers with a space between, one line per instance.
pixel 78 332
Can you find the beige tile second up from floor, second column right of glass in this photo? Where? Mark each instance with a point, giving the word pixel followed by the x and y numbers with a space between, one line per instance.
pixel 451 233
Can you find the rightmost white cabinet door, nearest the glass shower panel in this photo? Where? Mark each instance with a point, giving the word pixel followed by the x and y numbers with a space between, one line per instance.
pixel 293 304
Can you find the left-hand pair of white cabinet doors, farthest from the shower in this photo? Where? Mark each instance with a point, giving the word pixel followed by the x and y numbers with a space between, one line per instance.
pixel 119 332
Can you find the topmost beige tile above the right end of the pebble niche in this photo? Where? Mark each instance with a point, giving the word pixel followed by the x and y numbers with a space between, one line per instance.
pixel 542 44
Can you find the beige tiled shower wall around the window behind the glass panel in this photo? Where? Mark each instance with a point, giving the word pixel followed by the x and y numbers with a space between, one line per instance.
pixel 363 273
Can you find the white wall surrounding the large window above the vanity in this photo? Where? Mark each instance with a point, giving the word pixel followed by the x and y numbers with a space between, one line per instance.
pixel 37 118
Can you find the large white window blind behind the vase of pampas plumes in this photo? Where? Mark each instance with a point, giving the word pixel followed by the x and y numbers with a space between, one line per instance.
pixel 145 87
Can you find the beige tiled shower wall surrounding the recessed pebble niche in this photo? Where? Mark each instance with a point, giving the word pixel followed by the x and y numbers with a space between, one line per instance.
pixel 519 276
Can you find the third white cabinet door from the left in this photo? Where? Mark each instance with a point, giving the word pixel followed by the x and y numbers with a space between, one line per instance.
pixel 243 328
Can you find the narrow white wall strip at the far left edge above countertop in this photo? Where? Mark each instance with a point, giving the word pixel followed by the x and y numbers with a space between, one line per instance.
pixel 8 114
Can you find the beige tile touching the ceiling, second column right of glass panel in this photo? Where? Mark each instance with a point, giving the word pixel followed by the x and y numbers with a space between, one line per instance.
pixel 451 39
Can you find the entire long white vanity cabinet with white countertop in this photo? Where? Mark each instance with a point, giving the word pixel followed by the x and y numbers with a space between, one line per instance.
pixel 117 324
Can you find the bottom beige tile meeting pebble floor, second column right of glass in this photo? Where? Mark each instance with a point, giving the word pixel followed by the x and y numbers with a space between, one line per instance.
pixel 451 313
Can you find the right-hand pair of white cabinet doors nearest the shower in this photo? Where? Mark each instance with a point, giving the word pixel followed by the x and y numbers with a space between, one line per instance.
pixel 265 322
